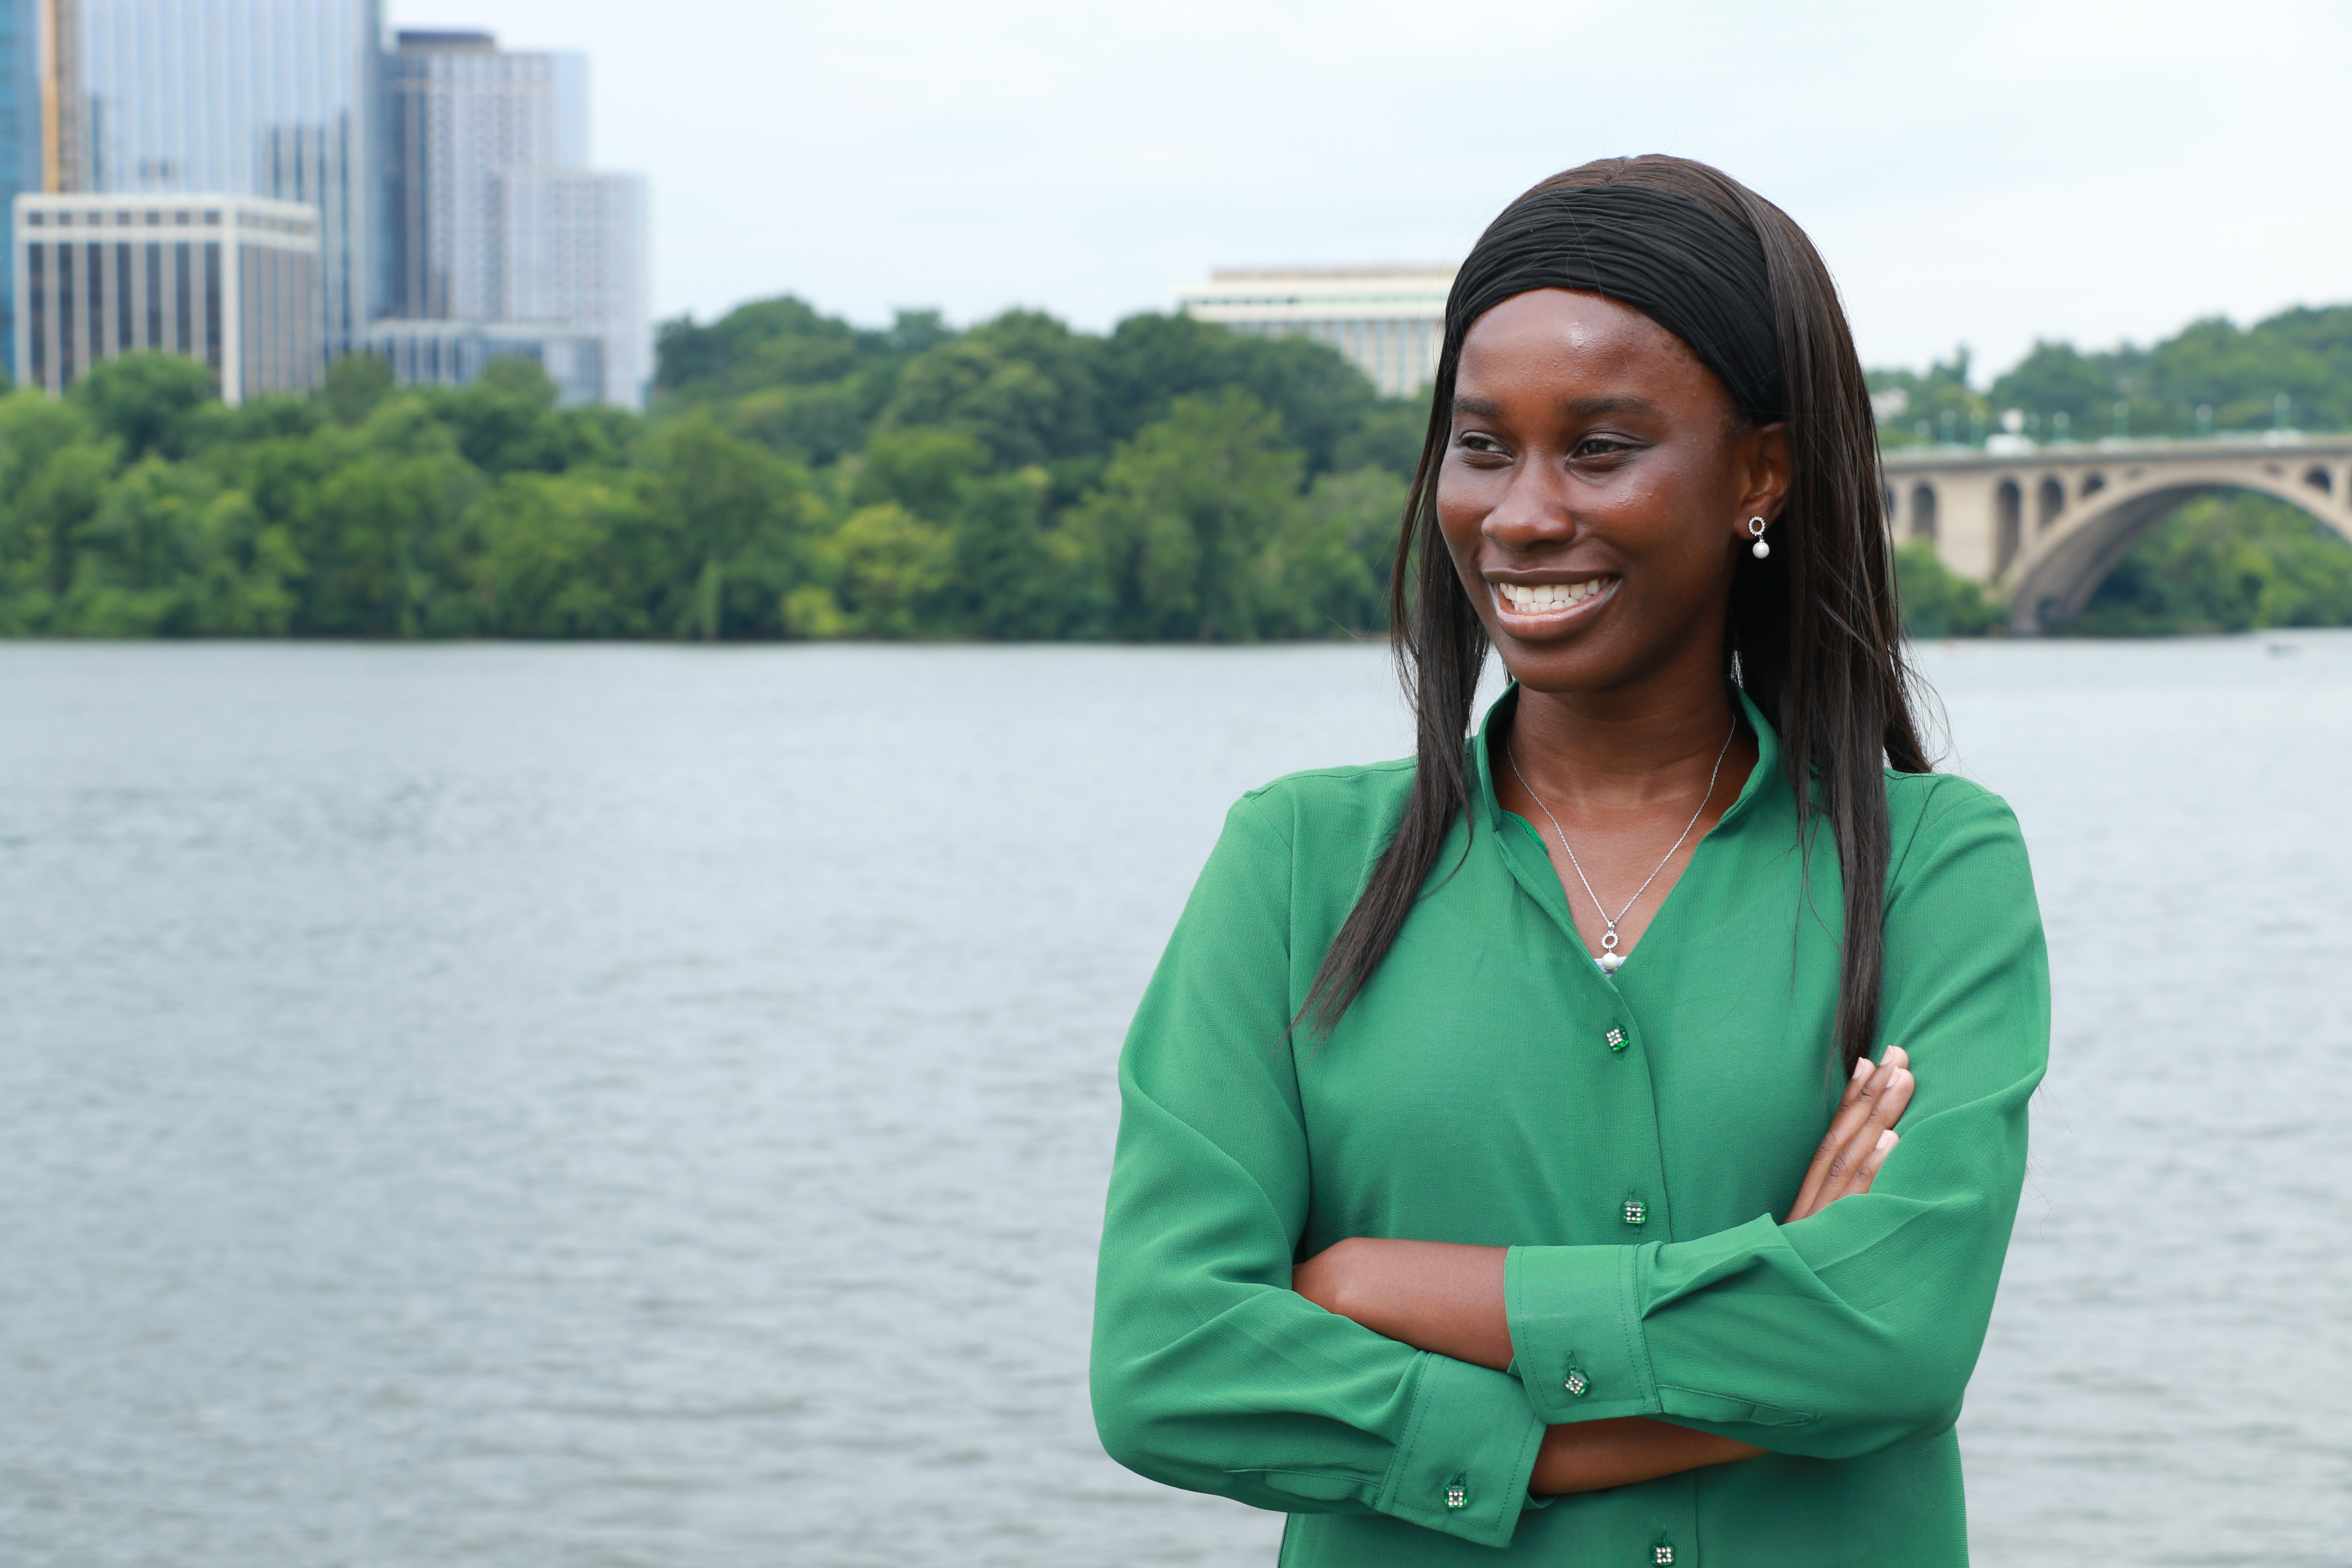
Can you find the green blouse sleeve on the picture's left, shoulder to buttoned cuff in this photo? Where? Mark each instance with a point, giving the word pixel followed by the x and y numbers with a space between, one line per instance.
pixel 1208 1369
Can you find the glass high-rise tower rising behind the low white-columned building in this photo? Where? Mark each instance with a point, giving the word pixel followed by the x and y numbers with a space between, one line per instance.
pixel 234 98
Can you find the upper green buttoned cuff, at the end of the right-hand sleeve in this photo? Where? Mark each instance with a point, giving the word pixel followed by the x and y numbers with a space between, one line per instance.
pixel 1577 1332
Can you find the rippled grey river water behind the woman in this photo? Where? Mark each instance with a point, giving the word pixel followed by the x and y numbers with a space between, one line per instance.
pixel 648 1108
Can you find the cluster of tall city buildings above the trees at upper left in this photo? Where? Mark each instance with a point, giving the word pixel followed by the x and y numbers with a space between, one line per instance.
pixel 453 208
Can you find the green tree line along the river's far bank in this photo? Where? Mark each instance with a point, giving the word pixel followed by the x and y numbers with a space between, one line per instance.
pixel 799 476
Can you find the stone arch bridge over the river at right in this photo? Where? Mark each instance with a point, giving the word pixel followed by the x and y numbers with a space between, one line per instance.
pixel 2043 525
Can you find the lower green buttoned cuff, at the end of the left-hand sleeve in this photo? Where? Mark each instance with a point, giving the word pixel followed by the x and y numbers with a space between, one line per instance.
pixel 1466 1456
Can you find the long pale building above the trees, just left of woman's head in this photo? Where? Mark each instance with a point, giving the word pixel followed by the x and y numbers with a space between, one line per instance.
pixel 1387 321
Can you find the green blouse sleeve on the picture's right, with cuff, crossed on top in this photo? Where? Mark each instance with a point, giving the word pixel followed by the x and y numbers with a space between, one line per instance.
pixel 1859 1327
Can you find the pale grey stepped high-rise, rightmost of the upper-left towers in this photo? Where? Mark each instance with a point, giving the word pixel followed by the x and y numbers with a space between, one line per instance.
pixel 497 217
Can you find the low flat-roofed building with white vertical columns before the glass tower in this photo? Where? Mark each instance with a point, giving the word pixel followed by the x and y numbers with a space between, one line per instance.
pixel 227 281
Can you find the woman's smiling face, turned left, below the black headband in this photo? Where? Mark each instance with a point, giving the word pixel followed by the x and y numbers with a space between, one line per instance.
pixel 1596 492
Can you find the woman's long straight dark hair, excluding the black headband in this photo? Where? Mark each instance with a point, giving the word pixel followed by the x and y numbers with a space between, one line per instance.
pixel 1812 631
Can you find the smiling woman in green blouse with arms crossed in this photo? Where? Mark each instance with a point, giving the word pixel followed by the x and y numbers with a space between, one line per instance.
pixel 1509 1139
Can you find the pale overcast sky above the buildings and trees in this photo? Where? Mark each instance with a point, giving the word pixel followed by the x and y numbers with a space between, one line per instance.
pixel 1975 175
